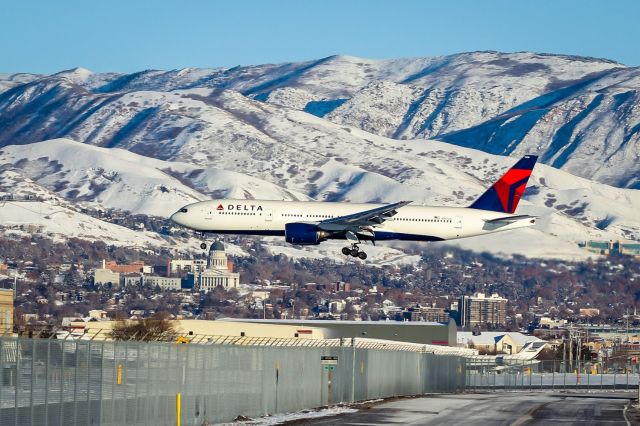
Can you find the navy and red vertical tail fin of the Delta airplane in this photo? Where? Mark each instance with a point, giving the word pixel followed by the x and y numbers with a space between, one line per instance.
pixel 505 194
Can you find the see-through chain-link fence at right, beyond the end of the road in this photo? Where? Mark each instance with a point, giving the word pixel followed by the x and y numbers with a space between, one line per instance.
pixel 491 373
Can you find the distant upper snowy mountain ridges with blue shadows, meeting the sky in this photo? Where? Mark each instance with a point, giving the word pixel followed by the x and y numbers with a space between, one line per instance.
pixel 580 114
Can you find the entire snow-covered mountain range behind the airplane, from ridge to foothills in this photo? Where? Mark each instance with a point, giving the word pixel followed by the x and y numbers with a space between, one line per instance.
pixel 340 128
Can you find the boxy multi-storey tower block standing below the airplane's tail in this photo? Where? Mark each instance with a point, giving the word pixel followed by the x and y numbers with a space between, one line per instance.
pixel 481 310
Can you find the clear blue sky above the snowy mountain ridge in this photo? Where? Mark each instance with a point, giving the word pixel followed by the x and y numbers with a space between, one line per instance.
pixel 47 36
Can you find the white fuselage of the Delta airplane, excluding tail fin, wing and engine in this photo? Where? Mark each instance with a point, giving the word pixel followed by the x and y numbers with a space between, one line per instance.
pixel 413 223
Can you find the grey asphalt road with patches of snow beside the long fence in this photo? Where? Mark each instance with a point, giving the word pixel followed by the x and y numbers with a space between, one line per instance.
pixel 493 409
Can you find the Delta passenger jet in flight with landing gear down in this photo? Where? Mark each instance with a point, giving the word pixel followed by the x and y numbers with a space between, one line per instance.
pixel 312 222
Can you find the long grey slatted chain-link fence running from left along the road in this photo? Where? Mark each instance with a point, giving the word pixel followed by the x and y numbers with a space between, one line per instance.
pixel 84 382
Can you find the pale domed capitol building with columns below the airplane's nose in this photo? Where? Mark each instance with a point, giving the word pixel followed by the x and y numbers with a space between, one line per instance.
pixel 219 272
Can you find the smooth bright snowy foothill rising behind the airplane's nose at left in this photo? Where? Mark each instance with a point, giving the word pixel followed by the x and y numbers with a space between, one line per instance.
pixel 116 178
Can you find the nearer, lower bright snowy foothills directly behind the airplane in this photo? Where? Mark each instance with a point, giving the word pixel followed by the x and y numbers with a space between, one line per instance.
pixel 571 209
